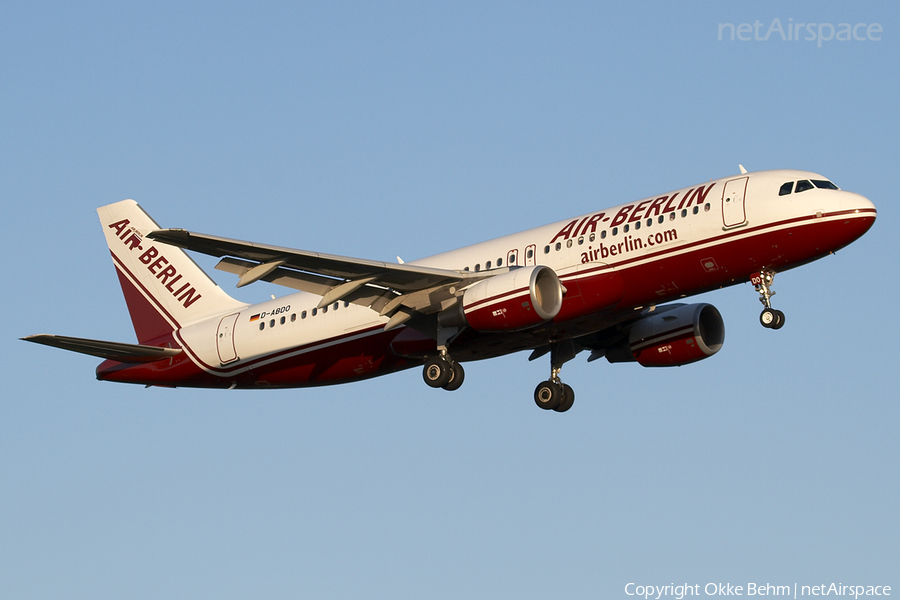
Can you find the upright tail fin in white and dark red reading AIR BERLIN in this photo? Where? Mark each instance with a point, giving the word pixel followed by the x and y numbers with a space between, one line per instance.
pixel 164 289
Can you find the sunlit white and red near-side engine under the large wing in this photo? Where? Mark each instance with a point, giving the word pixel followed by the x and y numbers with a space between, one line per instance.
pixel 515 300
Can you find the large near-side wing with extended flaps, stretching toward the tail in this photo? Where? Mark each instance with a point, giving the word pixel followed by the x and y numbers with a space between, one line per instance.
pixel 397 290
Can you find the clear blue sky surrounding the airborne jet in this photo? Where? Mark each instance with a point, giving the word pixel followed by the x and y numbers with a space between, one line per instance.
pixel 409 129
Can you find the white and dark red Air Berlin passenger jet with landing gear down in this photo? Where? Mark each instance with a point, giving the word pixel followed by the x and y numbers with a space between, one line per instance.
pixel 598 282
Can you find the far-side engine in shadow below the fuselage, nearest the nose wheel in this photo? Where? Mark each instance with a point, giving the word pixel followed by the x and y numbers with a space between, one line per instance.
pixel 672 336
